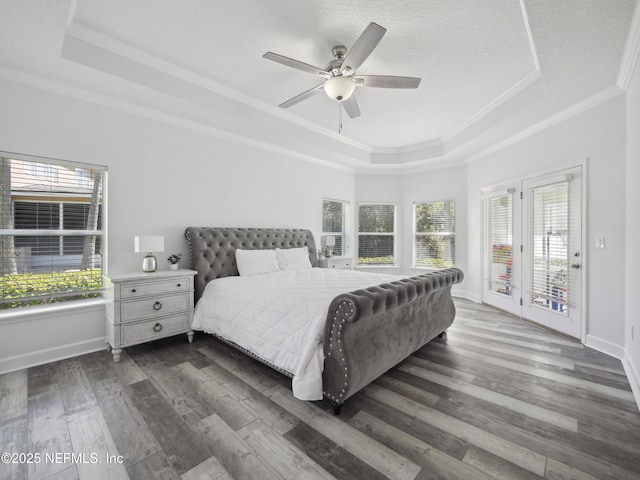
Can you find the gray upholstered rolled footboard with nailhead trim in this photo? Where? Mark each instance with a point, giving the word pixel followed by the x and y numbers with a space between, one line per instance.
pixel 371 330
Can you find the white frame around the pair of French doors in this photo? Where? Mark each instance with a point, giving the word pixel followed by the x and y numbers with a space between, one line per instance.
pixel 517 183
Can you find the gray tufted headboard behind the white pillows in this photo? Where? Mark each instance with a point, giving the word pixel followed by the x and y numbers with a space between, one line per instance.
pixel 213 250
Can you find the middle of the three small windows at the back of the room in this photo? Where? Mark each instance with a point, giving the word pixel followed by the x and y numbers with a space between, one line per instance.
pixel 376 234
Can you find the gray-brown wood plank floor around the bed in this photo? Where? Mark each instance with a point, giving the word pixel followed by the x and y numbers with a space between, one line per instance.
pixel 495 398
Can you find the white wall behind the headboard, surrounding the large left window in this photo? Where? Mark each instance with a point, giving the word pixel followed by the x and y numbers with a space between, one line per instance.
pixel 161 179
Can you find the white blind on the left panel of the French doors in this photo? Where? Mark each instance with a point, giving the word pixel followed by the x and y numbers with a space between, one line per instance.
pixel 499 215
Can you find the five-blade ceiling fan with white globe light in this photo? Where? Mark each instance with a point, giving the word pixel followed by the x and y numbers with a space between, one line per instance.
pixel 340 74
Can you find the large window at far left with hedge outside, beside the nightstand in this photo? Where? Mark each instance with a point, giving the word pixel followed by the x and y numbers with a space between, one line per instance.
pixel 51 232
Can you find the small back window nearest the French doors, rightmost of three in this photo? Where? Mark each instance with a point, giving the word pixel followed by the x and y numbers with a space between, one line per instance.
pixel 434 234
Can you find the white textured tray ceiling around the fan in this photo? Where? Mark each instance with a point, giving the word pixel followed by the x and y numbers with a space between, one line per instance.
pixel 489 68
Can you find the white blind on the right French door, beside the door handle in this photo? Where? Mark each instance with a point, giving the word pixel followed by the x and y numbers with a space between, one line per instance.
pixel 548 245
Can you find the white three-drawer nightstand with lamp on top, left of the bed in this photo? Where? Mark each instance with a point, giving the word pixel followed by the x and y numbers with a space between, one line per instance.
pixel 142 307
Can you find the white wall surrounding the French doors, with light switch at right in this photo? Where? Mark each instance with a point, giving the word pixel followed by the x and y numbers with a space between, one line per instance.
pixel 599 135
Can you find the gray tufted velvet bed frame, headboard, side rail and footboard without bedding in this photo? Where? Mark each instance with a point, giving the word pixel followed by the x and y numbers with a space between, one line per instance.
pixel 367 331
